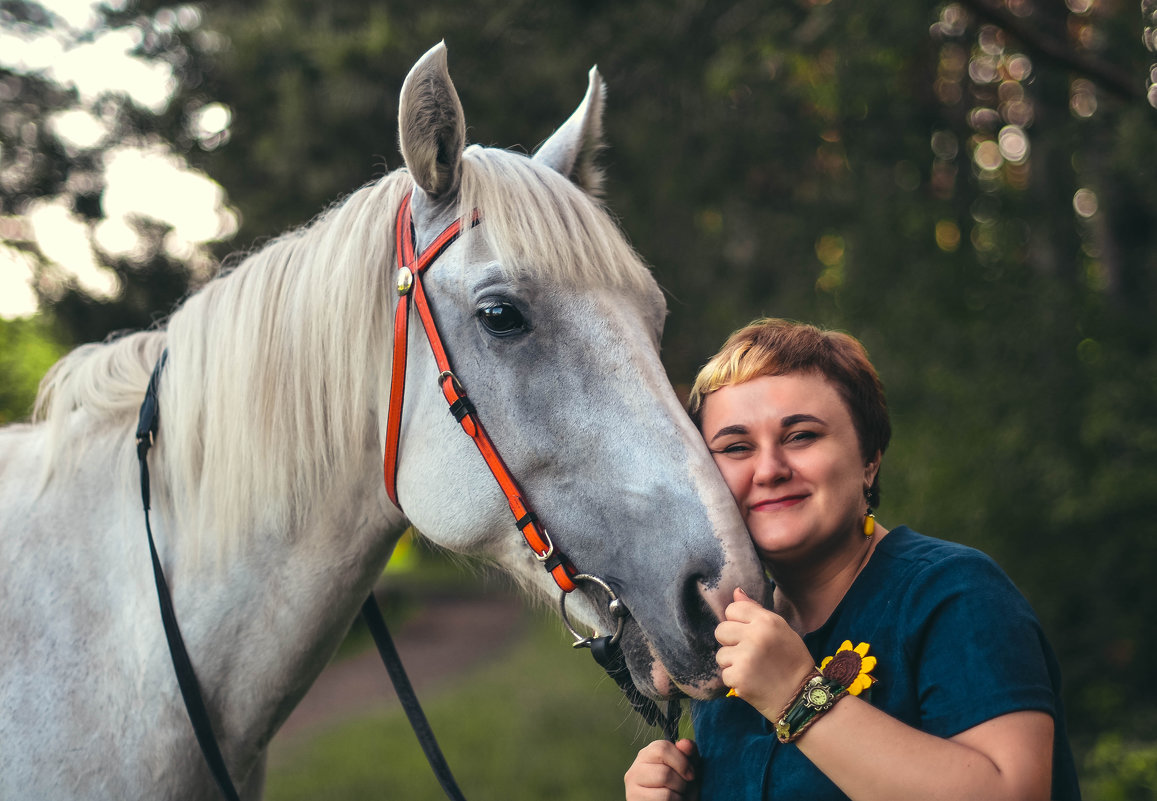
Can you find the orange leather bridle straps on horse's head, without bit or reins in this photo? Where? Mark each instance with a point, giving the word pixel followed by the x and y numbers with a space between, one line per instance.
pixel 411 267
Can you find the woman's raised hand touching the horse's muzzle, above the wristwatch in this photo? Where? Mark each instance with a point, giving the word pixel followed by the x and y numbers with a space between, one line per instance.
pixel 762 658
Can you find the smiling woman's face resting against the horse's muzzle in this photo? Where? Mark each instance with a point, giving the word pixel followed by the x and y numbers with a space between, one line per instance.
pixel 790 452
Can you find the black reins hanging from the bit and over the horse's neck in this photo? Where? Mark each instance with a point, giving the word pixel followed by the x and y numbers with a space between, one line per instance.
pixel 607 653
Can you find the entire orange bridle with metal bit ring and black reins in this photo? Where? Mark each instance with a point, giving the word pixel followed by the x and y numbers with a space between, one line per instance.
pixel 606 649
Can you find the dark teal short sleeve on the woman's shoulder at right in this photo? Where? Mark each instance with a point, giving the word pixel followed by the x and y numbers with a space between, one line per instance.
pixel 978 649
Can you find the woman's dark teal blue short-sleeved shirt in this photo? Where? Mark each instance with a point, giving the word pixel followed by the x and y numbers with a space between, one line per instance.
pixel 956 645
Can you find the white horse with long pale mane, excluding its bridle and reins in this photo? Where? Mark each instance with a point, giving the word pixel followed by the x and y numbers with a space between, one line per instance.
pixel 269 506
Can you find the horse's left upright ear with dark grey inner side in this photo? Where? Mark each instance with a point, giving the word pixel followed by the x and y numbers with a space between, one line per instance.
pixel 432 128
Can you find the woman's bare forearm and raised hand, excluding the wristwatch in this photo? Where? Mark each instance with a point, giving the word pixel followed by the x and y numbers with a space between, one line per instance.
pixel 866 752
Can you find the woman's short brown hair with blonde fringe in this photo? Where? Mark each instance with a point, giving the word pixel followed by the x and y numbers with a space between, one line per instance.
pixel 773 347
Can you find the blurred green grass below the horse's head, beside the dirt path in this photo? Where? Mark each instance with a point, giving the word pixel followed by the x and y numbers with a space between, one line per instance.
pixel 542 723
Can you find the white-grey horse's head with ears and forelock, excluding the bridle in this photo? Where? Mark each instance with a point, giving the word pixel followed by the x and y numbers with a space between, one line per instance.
pixel 552 326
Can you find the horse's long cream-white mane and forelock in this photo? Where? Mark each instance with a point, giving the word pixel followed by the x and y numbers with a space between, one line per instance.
pixel 276 366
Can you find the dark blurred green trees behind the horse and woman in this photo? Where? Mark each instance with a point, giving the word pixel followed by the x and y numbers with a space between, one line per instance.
pixel 824 160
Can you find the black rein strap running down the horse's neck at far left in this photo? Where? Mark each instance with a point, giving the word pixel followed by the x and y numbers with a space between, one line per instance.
pixel 187 679
